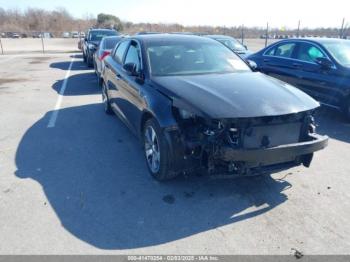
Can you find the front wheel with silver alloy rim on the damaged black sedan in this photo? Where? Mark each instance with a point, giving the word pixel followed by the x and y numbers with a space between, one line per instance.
pixel 156 151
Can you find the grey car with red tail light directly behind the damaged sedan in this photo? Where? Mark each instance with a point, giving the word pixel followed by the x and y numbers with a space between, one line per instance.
pixel 104 49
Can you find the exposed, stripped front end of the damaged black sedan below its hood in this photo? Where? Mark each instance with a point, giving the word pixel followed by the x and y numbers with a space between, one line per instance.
pixel 244 146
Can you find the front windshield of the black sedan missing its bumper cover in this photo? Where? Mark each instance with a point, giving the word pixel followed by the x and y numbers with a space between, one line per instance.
pixel 192 58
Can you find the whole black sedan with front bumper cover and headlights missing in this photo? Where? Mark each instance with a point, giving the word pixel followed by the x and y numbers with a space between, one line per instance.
pixel 197 107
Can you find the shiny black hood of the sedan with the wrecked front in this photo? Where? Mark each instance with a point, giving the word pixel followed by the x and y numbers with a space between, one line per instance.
pixel 234 95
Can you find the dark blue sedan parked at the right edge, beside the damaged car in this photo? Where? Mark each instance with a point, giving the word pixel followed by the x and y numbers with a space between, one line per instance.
pixel 320 67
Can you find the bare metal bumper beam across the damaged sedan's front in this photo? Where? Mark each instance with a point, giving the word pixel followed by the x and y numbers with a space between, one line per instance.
pixel 273 155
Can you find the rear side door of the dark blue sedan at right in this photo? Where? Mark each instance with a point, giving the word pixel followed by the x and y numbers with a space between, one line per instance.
pixel 277 62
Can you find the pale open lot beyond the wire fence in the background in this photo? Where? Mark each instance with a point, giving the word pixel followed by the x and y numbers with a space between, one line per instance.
pixel 17 46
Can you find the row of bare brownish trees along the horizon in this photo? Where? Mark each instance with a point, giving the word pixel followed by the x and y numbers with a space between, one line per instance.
pixel 60 20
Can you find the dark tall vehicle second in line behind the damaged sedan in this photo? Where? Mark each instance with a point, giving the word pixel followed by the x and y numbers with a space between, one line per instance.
pixel 91 42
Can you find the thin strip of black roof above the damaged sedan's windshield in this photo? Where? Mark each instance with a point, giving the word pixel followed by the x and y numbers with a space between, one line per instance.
pixel 154 38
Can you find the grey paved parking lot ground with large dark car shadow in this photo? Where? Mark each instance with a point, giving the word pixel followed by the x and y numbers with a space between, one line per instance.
pixel 81 185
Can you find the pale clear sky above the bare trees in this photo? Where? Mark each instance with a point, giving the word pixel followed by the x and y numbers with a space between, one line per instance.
pixel 282 13
